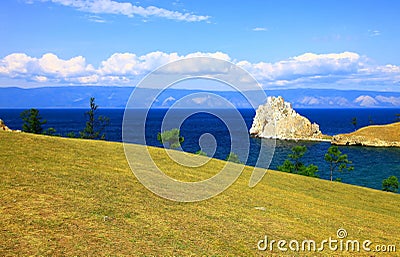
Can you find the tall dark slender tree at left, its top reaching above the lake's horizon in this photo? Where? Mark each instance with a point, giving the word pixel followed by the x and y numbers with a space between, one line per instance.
pixel 94 127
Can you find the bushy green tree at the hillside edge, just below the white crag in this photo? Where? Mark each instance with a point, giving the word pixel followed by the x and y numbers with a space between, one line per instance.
pixel 294 164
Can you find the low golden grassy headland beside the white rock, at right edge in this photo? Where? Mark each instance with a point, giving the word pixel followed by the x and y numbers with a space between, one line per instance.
pixel 378 136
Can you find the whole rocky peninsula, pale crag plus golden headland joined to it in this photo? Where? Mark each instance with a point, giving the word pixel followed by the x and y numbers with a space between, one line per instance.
pixel 277 119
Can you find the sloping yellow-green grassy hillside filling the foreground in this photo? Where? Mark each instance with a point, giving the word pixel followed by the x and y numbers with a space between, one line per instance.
pixel 75 197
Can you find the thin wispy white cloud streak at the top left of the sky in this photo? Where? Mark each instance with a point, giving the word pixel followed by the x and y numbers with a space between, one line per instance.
pixel 128 9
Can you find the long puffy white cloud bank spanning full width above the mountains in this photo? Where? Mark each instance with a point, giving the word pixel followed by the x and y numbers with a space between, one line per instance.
pixel 345 70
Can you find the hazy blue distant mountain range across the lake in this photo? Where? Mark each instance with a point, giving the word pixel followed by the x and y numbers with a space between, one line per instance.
pixel 117 97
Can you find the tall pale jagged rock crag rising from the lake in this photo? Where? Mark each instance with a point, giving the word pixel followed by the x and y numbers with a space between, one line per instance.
pixel 277 119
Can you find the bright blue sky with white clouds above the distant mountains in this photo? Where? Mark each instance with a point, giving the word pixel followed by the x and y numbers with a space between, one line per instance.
pixel 351 44
